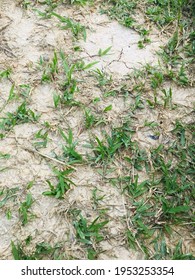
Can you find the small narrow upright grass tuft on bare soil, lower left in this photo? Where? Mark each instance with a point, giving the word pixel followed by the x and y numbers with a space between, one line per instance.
pixel 24 209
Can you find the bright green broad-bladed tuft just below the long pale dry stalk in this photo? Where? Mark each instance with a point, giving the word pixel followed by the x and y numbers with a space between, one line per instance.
pixel 63 185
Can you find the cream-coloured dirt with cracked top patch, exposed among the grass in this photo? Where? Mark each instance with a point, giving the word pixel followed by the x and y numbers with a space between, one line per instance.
pixel 25 37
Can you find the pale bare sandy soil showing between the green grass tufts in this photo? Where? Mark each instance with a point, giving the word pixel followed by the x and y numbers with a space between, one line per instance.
pixel 24 37
